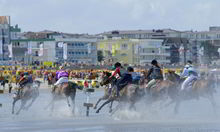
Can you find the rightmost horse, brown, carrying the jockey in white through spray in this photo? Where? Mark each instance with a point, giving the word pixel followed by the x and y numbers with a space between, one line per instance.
pixel 200 88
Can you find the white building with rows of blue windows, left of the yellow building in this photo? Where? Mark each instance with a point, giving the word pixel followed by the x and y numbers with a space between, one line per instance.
pixel 79 50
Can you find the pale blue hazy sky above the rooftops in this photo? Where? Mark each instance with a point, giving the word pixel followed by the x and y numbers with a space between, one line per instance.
pixel 97 16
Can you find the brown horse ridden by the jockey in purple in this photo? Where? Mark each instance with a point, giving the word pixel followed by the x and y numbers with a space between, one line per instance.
pixel 64 92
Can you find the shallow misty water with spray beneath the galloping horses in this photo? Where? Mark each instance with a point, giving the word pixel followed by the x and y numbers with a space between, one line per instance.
pixel 194 116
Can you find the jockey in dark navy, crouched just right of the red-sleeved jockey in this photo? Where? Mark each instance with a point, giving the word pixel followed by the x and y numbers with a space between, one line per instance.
pixel 124 80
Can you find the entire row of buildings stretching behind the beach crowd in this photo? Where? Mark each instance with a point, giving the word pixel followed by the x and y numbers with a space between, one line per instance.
pixel 131 47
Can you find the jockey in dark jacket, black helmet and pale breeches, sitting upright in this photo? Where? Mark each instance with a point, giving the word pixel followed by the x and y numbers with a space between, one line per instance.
pixel 154 75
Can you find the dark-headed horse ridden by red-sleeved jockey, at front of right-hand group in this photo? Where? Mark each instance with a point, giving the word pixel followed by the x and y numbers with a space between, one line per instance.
pixel 107 89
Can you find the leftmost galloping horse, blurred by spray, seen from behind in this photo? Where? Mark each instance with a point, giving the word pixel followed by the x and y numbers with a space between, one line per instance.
pixel 25 94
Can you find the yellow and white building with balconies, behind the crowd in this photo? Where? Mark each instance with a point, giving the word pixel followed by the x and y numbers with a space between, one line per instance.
pixel 134 51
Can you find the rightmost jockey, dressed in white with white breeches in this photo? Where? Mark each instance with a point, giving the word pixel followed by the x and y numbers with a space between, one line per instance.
pixel 192 76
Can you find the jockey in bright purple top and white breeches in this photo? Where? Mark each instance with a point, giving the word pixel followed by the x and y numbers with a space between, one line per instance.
pixel 62 76
